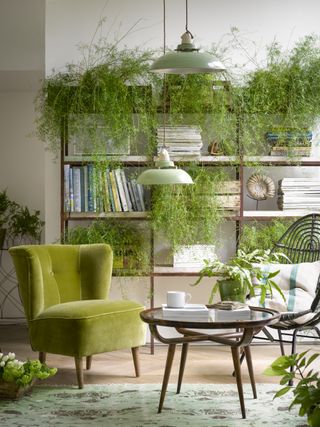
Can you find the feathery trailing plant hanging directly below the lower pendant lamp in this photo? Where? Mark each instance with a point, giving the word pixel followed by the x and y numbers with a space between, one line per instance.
pixel 188 214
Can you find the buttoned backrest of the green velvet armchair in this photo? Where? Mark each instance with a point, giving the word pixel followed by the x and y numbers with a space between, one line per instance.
pixel 53 274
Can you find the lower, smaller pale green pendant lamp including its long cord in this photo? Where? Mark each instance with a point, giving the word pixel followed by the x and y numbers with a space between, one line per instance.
pixel 165 172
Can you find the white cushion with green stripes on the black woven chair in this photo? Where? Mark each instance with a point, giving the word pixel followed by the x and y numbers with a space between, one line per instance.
pixel 298 283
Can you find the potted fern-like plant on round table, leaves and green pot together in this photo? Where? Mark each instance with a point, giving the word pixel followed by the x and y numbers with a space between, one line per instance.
pixel 241 276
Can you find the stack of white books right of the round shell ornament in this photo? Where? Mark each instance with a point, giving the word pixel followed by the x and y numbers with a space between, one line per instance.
pixel 299 194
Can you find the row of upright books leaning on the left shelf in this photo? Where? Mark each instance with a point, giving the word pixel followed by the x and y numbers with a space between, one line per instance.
pixel 90 189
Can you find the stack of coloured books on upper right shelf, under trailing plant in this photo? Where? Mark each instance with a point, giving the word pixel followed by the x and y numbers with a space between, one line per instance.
pixel 290 142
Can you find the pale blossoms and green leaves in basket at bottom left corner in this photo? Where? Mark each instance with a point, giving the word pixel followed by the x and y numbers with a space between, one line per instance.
pixel 22 373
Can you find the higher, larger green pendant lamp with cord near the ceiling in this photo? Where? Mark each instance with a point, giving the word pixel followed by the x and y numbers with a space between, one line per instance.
pixel 186 59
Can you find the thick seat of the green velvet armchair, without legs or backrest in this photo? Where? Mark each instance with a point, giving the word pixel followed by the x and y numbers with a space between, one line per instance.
pixel 83 328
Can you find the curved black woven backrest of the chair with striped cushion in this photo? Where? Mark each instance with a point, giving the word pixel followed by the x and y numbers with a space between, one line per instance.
pixel 301 243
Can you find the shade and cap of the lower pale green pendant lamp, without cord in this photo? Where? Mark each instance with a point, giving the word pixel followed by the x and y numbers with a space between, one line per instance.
pixel 164 173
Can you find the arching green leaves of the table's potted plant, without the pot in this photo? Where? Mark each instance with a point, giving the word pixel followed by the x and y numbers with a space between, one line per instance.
pixel 243 269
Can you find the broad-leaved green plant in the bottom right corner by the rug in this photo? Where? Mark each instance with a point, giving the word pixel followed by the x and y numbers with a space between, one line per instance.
pixel 307 391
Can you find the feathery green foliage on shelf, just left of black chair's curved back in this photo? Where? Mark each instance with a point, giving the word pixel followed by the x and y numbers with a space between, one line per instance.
pixel 257 235
